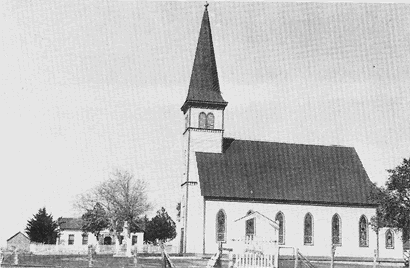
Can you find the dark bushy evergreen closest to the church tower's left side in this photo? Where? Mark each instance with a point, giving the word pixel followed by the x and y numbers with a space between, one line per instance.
pixel 160 228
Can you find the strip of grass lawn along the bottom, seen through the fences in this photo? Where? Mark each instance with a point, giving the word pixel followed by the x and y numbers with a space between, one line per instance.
pixel 145 262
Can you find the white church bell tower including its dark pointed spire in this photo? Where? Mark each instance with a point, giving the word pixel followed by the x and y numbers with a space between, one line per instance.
pixel 203 110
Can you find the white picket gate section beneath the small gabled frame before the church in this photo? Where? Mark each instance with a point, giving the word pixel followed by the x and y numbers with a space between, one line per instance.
pixel 252 260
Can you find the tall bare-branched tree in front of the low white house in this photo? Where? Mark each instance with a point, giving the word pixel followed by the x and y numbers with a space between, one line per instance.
pixel 122 197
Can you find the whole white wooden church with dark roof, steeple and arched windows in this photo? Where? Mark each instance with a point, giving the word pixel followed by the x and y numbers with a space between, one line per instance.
pixel 305 196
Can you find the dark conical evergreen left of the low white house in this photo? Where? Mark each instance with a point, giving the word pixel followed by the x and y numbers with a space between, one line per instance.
pixel 42 228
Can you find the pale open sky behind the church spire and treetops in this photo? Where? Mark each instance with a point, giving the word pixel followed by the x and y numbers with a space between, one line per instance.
pixel 88 87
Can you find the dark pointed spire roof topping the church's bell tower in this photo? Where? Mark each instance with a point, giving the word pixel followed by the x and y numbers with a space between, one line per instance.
pixel 204 86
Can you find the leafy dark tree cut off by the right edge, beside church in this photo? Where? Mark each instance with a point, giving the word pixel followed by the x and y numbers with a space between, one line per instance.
pixel 394 200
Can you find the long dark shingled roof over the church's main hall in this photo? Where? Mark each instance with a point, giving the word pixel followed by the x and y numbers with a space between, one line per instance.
pixel 271 171
